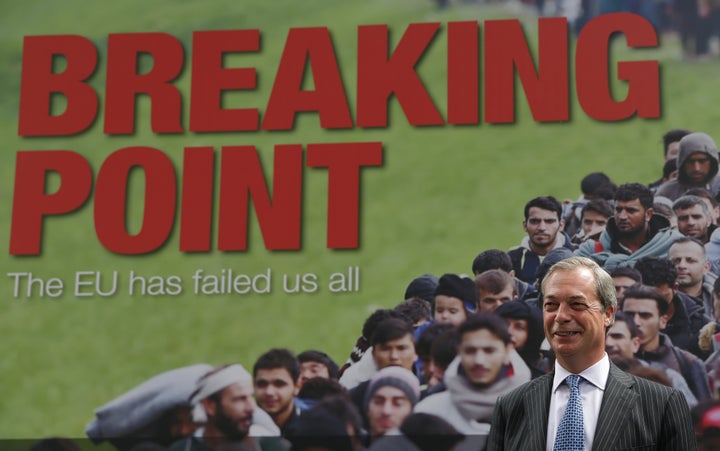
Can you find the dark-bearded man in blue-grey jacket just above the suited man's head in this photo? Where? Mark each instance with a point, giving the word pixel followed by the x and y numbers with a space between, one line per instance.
pixel 632 233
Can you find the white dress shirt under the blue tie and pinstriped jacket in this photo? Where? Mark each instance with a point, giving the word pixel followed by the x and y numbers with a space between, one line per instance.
pixel 592 389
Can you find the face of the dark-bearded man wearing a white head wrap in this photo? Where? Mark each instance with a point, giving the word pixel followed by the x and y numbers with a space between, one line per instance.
pixel 232 415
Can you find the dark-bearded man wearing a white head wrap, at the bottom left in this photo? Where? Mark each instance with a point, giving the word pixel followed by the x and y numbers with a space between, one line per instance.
pixel 225 396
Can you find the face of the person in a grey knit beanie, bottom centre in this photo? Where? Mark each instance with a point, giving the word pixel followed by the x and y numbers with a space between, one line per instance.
pixel 387 409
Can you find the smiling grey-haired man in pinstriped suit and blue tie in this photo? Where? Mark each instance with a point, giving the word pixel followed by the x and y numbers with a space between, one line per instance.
pixel 618 410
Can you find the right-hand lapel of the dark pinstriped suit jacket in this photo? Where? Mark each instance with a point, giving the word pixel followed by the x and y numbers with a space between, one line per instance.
pixel 616 405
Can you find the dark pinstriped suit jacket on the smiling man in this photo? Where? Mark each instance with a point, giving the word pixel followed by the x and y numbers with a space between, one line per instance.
pixel 635 414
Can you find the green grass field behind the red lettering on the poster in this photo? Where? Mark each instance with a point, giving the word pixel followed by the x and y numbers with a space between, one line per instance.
pixel 442 195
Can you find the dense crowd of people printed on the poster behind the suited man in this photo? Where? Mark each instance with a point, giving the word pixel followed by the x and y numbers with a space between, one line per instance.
pixel 427 374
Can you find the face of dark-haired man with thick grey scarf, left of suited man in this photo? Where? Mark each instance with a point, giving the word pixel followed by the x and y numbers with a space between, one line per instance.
pixel 482 356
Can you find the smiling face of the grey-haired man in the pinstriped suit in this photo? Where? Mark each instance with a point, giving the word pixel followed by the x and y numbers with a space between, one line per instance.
pixel 574 318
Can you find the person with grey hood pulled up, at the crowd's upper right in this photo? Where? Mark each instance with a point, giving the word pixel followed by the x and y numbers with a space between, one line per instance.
pixel 697 163
